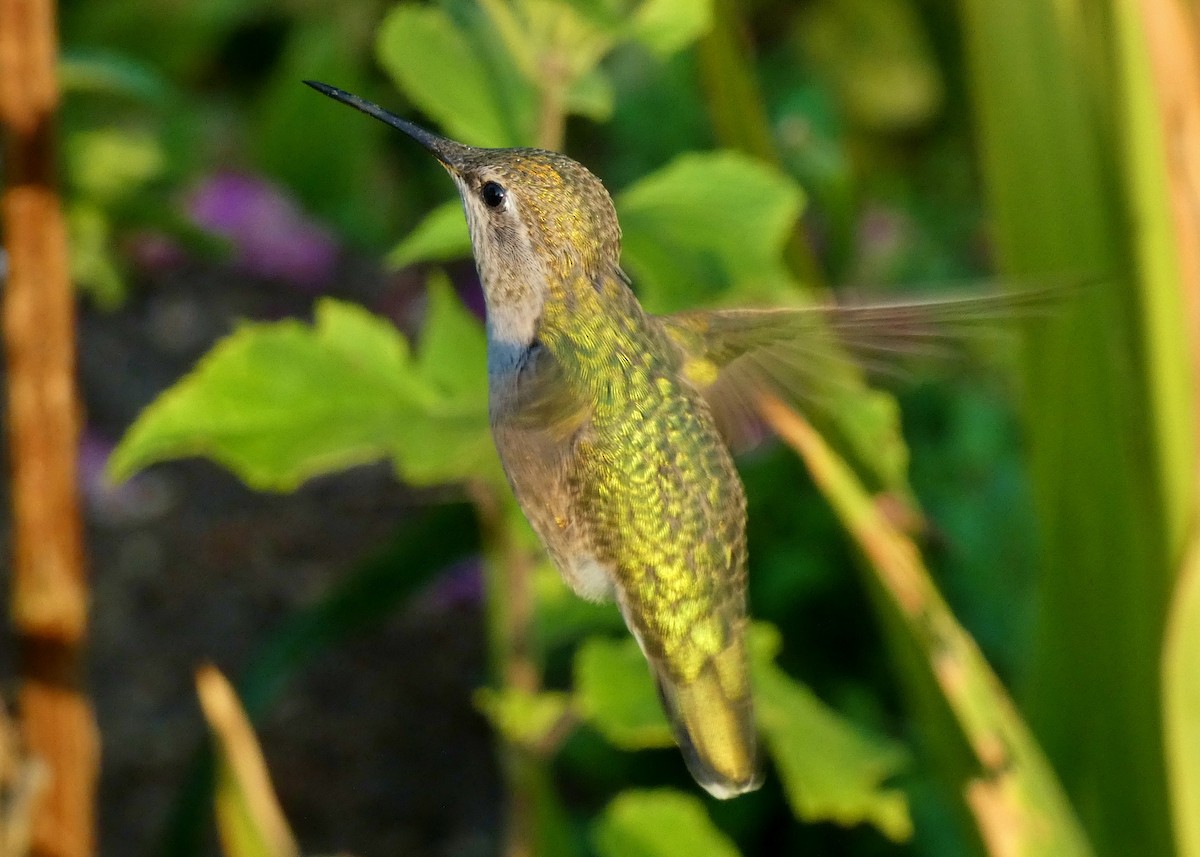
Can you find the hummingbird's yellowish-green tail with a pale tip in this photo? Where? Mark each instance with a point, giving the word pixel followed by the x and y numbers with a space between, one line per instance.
pixel 713 722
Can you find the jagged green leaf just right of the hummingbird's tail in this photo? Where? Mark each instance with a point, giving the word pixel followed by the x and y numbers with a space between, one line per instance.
pixel 831 769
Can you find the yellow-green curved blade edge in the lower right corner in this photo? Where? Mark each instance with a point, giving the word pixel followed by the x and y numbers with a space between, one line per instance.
pixel 1181 704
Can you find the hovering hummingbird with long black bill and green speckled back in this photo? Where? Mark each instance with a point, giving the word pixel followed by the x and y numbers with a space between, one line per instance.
pixel 615 427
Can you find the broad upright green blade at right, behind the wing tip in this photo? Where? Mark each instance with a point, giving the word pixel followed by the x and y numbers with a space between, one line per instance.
pixel 1070 151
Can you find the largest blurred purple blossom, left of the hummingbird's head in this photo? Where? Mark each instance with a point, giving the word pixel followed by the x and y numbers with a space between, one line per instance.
pixel 271 235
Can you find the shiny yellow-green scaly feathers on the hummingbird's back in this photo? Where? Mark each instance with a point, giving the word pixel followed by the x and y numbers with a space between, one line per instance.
pixel 657 483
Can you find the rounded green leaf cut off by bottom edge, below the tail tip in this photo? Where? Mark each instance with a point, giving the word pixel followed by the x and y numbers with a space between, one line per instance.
pixel 659 824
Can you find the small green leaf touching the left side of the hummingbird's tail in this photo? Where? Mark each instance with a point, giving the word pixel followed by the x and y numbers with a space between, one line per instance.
pixel 614 692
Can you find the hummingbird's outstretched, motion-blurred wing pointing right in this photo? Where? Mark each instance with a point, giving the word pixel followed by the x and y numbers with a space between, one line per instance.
pixel 809 355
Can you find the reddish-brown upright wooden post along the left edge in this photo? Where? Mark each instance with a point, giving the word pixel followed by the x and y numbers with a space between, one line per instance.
pixel 50 595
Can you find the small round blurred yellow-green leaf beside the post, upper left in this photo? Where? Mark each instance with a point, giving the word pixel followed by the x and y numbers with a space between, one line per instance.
pixel 113 163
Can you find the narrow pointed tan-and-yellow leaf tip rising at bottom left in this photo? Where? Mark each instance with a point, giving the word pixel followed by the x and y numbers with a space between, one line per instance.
pixel 250 820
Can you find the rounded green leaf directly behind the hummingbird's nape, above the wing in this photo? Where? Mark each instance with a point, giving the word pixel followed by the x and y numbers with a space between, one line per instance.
pixel 707 224
